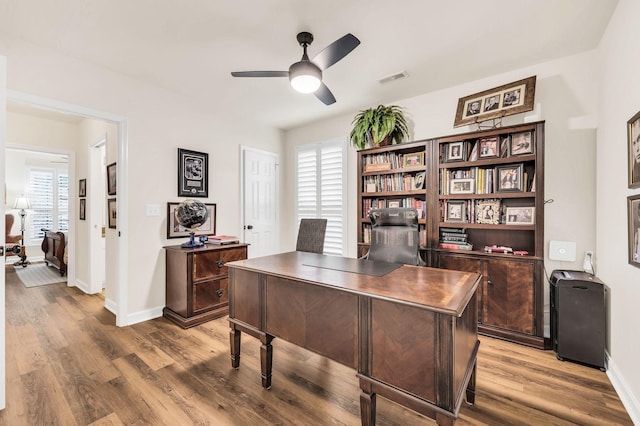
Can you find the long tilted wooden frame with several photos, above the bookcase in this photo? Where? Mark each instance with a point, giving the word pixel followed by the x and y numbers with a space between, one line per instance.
pixel 509 99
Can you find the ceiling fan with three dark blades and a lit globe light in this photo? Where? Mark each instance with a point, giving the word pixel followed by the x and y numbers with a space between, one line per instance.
pixel 306 75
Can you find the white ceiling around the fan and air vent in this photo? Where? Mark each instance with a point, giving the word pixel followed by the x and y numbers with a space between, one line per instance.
pixel 191 46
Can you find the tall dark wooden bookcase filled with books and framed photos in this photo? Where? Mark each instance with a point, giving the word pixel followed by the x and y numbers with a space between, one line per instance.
pixel 479 189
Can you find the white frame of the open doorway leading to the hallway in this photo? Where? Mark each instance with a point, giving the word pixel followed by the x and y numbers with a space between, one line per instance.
pixel 122 248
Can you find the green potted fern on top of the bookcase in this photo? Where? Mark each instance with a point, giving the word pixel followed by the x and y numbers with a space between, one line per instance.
pixel 383 125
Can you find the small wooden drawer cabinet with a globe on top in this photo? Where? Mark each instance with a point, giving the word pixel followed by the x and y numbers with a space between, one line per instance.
pixel 197 282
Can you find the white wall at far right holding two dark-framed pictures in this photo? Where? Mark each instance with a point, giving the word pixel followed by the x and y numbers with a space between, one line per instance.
pixel 619 101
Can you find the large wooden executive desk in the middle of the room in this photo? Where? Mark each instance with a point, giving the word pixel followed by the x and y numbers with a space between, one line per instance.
pixel 410 334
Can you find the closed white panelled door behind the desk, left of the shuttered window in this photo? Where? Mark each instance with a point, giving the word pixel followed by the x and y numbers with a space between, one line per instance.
pixel 260 202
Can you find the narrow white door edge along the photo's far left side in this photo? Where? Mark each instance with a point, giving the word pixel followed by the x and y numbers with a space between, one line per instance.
pixel 3 133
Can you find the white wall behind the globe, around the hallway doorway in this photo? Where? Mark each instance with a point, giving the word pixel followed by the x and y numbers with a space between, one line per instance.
pixel 158 123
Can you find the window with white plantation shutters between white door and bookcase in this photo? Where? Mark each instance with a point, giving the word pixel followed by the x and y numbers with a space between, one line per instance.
pixel 320 189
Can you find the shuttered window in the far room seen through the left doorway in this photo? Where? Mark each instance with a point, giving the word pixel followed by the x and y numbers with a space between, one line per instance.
pixel 49 195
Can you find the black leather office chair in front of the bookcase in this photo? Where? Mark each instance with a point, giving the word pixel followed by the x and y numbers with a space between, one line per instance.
pixel 395 236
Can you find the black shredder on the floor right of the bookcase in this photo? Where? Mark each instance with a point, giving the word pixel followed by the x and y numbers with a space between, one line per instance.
pixel 578 317
